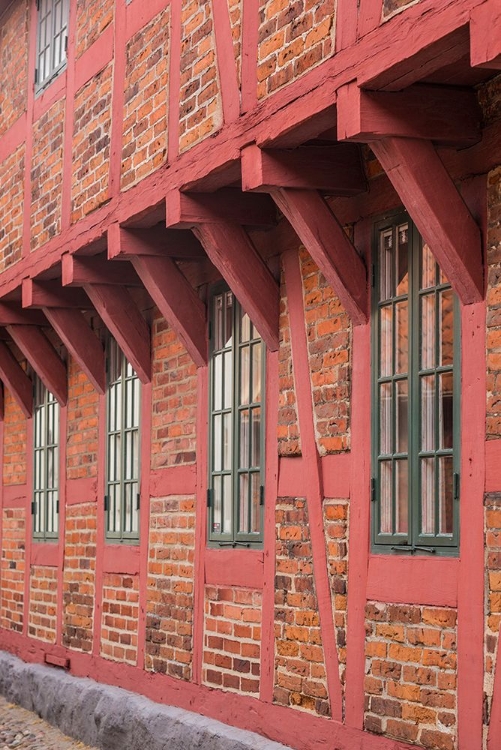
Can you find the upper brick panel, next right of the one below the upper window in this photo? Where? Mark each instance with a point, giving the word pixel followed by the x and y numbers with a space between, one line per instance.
pixel 91 144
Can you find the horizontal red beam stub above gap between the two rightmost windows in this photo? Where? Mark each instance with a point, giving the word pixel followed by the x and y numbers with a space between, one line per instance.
pixel 335 169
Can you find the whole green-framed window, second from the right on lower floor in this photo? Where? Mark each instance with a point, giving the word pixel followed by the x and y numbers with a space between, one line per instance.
pixel 236 424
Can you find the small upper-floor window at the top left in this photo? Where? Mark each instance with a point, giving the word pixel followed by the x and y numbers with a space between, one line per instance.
pixel 51 39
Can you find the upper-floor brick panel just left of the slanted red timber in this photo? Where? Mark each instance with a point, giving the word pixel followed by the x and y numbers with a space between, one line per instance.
pixel 200 111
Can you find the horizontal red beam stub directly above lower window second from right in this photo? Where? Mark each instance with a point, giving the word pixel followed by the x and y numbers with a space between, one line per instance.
pixel 185 210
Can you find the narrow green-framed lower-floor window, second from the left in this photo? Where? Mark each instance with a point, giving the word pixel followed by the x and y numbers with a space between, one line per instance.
pixel 123 408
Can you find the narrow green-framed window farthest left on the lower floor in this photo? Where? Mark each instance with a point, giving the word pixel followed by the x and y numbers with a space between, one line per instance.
pixel 45 506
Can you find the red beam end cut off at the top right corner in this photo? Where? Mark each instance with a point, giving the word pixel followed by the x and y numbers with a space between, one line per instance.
pixel 485 35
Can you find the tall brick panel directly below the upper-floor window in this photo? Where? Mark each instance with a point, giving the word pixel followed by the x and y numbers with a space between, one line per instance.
pixel 46 175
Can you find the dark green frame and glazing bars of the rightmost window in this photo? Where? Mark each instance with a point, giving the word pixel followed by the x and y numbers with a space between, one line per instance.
pixel 415 541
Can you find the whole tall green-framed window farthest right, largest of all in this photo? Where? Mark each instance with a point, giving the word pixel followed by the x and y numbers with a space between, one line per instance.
pixel 416 378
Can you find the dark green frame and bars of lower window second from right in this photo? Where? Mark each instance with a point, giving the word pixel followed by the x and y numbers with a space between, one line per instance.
pixel 234 537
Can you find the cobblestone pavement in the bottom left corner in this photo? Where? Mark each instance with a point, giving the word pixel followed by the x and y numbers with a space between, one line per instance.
pixel 22 729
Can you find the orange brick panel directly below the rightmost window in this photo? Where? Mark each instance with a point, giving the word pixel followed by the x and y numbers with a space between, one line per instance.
pixel 410 681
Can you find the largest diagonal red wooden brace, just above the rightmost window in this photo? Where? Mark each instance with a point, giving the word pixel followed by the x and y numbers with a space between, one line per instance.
pixel 431 198
